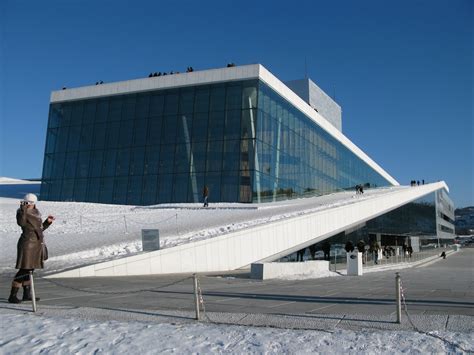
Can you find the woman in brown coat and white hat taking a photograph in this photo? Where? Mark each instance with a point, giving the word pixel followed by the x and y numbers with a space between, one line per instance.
pixel 31 251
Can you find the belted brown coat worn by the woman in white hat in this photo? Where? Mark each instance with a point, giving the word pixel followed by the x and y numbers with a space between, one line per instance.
pixel 30 244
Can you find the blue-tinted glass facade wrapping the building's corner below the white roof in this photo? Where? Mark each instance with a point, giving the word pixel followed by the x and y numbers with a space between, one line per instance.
pixel 240 138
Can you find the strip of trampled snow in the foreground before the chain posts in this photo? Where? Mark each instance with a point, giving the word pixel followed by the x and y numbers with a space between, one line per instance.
pixel 28 333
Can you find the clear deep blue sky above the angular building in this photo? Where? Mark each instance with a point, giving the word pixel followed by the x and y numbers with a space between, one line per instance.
pixel 401 70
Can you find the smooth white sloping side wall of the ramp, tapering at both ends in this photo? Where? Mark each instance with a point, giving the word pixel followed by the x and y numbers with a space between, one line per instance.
pixel 266 242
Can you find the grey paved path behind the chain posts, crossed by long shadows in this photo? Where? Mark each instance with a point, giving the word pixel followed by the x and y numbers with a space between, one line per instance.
pixel 439 295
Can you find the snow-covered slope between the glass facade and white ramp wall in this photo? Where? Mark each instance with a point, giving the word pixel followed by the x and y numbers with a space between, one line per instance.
pixel 90 232
